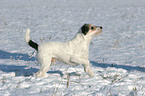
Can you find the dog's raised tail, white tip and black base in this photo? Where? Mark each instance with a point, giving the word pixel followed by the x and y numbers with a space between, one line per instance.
pixel 29 41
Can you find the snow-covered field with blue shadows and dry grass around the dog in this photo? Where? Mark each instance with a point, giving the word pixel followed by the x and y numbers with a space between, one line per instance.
pixel 117 56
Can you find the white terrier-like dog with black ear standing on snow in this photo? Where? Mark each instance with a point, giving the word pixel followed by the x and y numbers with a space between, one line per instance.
pixel 72 52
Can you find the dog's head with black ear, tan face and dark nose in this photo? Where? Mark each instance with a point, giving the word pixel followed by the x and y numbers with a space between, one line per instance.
pixel 91 30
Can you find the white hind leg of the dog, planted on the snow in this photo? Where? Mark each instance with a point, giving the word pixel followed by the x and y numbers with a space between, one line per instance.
pixel 45 65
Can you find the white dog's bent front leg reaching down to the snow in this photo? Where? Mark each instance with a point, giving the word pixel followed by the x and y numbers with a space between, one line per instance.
pixel 84 62
